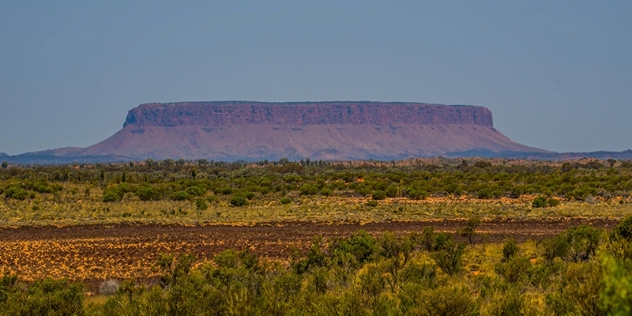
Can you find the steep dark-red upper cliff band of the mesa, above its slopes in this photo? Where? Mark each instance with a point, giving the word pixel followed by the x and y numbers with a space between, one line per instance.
pixel 305 113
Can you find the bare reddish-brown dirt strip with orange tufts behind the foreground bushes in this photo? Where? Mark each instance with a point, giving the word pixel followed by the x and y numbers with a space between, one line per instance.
pixel 95 252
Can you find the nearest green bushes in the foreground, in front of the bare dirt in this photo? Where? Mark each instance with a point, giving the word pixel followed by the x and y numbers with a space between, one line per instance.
pixel 418 274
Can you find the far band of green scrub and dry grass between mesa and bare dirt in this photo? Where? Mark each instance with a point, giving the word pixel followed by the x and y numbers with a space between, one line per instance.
pixel 177 191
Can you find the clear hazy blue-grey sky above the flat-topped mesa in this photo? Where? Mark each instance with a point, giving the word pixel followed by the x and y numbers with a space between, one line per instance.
pixel 556 74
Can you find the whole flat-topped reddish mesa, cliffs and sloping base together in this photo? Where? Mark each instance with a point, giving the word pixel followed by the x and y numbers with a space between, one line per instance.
pixel 237 130
